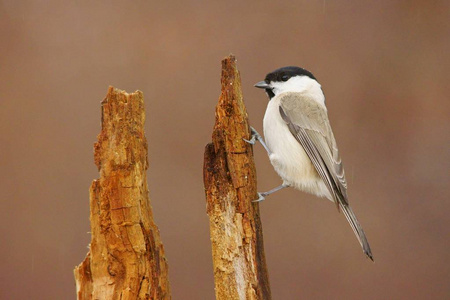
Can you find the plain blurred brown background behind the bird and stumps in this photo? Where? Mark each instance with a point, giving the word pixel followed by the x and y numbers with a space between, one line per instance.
pixel 384 67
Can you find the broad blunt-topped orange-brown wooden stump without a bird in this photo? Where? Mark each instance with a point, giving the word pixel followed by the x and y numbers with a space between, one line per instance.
pixel 126 257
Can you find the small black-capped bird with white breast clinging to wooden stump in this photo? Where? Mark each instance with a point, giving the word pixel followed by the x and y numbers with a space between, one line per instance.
pixel 300 142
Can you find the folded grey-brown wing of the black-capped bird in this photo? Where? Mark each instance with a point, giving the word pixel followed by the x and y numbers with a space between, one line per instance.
pixel 308 122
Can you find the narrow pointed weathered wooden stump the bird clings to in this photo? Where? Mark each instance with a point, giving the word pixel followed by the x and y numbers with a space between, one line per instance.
pixel 240 270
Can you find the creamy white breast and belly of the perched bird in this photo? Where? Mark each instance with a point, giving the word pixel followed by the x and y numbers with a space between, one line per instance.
pixel 288 157
